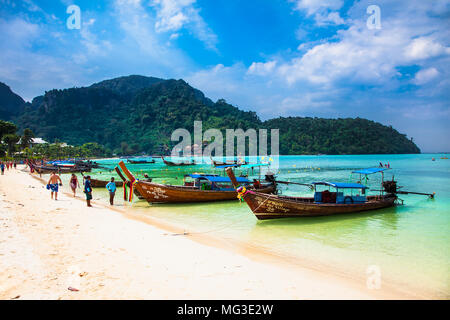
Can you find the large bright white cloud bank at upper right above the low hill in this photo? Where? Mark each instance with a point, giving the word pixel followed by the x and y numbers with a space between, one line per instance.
pixel 357 55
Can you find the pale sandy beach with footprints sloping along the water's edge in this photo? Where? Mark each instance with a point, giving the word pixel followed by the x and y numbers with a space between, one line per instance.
pixel 64 250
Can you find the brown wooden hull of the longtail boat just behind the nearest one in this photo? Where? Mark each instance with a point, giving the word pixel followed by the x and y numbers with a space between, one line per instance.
pixel 160 193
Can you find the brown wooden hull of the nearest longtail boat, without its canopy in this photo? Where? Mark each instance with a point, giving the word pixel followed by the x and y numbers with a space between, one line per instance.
pixel 273 207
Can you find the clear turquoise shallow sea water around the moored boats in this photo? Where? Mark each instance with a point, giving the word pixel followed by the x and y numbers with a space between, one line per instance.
pixel 410 243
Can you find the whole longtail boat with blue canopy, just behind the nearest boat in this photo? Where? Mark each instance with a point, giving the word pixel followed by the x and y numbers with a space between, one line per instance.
pixel 204 188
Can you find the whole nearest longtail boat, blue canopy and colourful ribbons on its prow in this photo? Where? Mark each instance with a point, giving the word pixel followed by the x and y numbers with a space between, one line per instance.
pixel 270 206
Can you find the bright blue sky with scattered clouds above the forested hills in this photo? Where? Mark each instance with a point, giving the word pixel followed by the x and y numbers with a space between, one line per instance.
pixel 276 57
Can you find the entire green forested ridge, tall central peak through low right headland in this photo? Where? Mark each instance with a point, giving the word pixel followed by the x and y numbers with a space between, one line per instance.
pixel 137 114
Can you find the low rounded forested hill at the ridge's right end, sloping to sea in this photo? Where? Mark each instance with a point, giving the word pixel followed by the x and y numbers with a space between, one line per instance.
pixel 339 136
